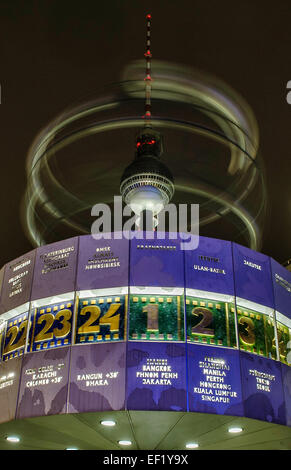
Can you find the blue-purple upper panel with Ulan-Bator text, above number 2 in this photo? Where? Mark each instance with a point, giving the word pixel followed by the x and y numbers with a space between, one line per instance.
pixel 209 267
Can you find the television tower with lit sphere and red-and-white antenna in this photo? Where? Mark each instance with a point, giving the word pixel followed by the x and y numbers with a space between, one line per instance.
pixel 147 184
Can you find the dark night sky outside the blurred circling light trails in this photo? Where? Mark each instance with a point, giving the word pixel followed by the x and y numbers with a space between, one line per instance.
pixel 54 52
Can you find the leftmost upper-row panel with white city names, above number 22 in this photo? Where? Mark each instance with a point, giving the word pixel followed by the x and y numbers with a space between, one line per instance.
pixel 17 281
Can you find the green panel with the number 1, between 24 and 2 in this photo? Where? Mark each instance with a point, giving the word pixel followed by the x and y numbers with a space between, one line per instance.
pixel 156 317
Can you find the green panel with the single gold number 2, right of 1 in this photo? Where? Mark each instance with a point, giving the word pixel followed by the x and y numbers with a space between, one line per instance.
pixel 210 322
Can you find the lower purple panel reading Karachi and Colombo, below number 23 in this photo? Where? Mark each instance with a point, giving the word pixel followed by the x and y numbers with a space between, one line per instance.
pixel 44 383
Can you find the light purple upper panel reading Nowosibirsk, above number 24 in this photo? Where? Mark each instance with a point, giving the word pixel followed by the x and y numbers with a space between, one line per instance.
pixel 102 263
